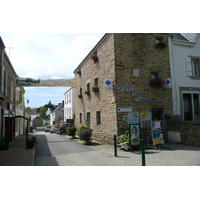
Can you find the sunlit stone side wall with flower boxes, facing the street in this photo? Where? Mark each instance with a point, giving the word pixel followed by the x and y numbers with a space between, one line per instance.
pixel 103 100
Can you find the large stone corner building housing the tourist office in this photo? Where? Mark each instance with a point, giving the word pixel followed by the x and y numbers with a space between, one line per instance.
pixel 124 66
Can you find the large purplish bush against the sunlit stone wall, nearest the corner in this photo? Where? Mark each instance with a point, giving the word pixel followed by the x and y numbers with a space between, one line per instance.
pixel 85 134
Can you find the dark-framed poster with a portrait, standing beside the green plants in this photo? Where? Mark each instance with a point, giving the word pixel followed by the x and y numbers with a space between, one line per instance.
pixel 134 134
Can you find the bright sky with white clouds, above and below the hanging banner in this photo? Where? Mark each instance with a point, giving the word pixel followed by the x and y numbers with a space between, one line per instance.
pixel 47 55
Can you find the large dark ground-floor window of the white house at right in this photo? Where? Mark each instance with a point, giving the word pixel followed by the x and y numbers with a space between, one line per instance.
pixel 191 106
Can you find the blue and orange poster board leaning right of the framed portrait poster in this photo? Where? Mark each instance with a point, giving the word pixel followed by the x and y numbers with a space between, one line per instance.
pixel 157 133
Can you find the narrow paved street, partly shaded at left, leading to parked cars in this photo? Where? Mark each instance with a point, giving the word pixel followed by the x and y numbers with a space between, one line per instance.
pixel 60 150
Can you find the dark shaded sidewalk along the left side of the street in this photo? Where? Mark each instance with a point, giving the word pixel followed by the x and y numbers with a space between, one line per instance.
pixel 17 155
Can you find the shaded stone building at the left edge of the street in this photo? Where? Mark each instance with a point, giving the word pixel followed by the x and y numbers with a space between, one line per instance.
pixel 7 95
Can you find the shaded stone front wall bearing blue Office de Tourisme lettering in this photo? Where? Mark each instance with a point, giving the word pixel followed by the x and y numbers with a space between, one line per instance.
pixel 138 52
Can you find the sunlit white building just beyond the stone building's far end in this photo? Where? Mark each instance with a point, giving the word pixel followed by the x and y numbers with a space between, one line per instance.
pixel 69 103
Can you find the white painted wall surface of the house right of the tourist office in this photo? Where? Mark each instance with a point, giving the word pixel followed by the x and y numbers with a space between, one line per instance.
pixel 179 54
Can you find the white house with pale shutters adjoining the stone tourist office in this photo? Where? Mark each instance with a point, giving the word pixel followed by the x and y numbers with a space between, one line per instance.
pixel 185 75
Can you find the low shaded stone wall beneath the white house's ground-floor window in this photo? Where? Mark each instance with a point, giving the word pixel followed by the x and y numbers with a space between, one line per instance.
pixel 189 130
